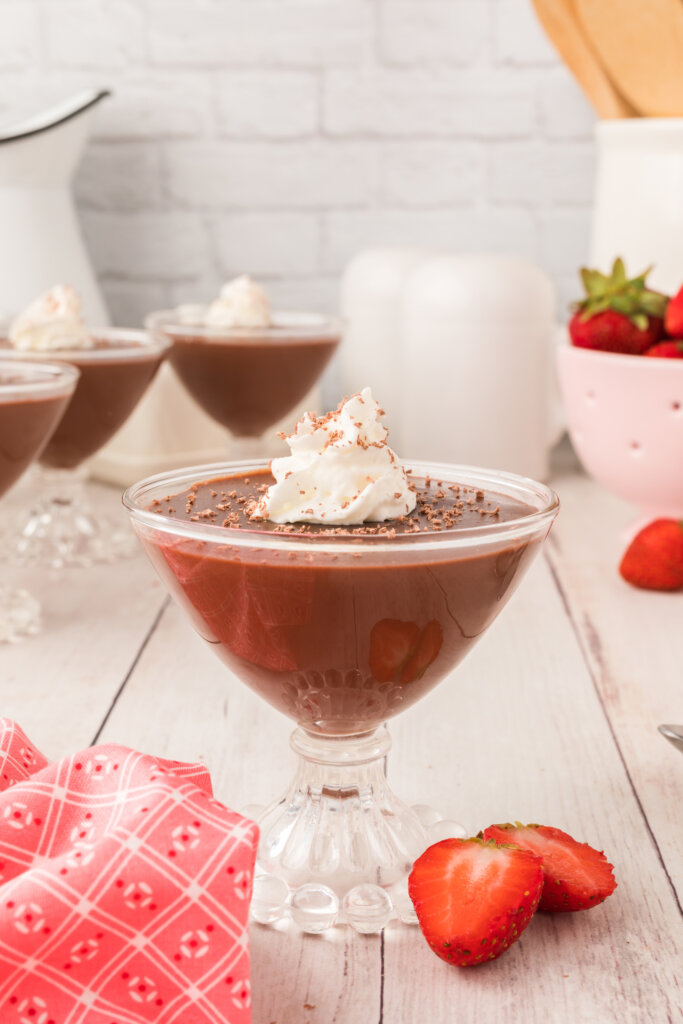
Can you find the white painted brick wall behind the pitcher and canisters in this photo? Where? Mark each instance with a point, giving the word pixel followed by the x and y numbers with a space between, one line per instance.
pixel 279 137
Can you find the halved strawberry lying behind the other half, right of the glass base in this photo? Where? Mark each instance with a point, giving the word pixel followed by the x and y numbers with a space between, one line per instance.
pixel 576 876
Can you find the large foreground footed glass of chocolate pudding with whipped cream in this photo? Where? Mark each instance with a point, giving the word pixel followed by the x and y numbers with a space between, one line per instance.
pixel 341 587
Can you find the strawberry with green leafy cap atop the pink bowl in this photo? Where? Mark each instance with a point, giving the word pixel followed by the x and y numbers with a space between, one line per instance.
pixel 618 315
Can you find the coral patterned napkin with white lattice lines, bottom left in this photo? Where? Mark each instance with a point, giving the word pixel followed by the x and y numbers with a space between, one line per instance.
pixel 124 891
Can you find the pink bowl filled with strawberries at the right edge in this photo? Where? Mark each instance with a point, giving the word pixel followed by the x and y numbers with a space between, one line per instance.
pixel 622 386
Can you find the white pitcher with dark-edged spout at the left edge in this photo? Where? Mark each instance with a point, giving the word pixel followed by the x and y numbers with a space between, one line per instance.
pixel 41 239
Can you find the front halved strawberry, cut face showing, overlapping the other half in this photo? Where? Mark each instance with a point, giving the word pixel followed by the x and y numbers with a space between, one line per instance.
pixel 474 900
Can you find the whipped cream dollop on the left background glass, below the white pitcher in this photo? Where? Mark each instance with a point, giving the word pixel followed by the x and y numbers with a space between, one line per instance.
pixel 54 322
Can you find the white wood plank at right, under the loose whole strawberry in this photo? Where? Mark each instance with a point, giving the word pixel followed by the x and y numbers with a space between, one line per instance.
pixel 633 643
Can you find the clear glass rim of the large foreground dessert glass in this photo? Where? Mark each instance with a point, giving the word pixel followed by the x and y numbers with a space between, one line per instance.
pixel 323 543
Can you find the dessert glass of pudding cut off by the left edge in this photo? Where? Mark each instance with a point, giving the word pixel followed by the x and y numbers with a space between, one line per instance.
pixel 33 398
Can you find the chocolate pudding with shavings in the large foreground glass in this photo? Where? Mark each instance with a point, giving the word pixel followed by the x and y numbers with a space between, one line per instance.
pixel 341 627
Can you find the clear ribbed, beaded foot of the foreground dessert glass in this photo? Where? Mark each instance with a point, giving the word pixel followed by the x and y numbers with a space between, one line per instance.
pixel 338 846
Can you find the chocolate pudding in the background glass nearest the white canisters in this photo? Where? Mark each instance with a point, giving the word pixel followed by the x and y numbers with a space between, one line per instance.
pixel 250 378
